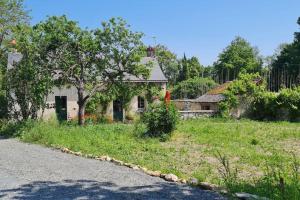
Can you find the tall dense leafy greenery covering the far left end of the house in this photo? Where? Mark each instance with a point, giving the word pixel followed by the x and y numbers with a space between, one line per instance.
pixel 29 81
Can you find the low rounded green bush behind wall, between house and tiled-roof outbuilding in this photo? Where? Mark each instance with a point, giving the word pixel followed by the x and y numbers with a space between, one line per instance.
pixel 192 88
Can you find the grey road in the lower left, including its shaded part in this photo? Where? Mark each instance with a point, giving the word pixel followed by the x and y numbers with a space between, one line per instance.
pixel 33 172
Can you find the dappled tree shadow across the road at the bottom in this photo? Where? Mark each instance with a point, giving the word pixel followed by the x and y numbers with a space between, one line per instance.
pixel 85 189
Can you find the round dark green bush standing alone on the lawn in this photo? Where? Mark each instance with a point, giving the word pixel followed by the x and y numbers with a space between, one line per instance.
pixel 160 119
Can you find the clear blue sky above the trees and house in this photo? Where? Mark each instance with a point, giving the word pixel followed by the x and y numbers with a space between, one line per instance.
pixel 201 28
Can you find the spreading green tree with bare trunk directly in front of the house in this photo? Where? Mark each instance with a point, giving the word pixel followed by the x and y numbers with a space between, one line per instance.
pixel 92 61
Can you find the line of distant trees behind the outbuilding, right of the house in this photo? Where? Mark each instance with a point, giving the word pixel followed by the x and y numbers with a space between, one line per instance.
pixel 281 70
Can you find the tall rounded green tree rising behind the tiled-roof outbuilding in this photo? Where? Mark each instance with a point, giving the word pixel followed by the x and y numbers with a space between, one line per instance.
pixel 238 57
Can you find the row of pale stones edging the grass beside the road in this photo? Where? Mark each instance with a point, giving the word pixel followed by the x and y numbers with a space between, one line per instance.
pixel 167 177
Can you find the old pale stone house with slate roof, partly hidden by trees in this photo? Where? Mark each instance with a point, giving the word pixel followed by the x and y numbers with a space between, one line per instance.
pixel 63 101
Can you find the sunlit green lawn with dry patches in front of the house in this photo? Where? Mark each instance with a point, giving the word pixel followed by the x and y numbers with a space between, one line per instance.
pixel 262 152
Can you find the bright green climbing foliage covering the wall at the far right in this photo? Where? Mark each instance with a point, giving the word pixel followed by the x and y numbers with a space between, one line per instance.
pixel 259 103
